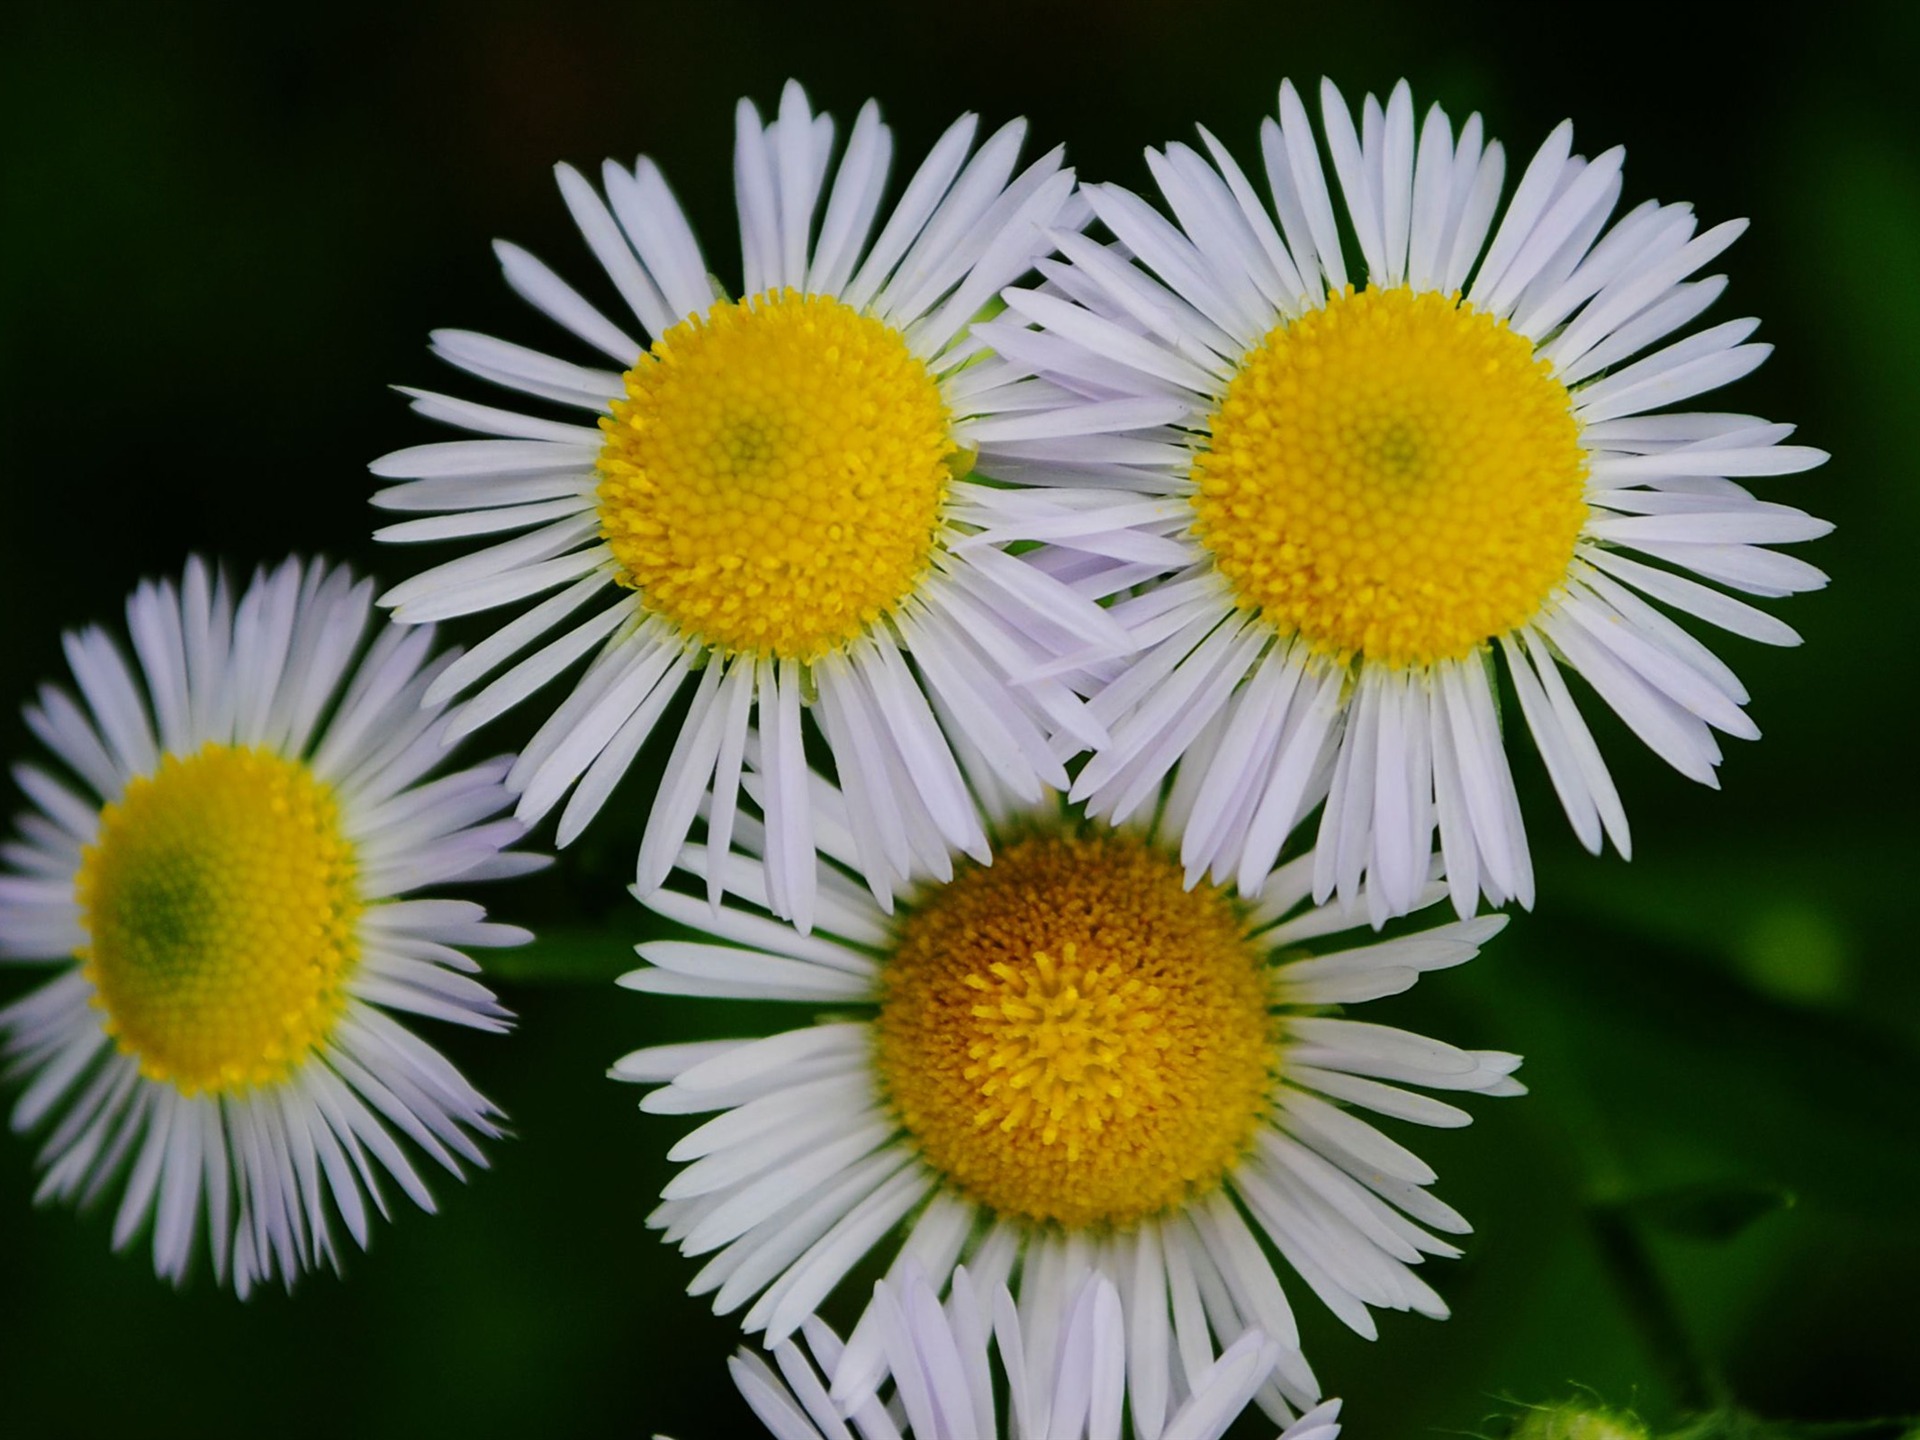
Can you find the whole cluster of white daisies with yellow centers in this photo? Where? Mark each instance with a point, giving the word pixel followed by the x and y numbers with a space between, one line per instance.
pixel 1074 627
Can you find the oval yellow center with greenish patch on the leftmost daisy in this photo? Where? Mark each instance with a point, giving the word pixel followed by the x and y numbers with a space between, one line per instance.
pixel 222 915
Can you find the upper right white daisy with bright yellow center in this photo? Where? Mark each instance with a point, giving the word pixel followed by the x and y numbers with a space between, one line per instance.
pixel 1385 494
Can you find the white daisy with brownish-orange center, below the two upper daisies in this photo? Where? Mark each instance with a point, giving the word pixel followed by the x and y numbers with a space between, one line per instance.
pixel 1059 1063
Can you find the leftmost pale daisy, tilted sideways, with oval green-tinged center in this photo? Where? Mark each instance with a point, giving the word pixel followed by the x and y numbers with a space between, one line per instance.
pixel 218 867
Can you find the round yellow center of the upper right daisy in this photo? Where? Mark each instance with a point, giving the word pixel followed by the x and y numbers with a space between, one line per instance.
pixel 1395 477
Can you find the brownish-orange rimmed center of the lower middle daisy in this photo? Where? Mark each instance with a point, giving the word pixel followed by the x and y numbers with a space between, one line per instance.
pixel 1072 1036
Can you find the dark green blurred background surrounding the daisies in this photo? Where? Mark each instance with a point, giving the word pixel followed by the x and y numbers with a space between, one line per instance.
pixel 228 229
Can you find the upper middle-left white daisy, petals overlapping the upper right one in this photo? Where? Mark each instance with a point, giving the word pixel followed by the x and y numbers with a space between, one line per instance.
pixel 771 500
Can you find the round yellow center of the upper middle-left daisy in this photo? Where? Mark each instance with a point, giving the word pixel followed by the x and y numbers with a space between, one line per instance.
pixel 775 477
